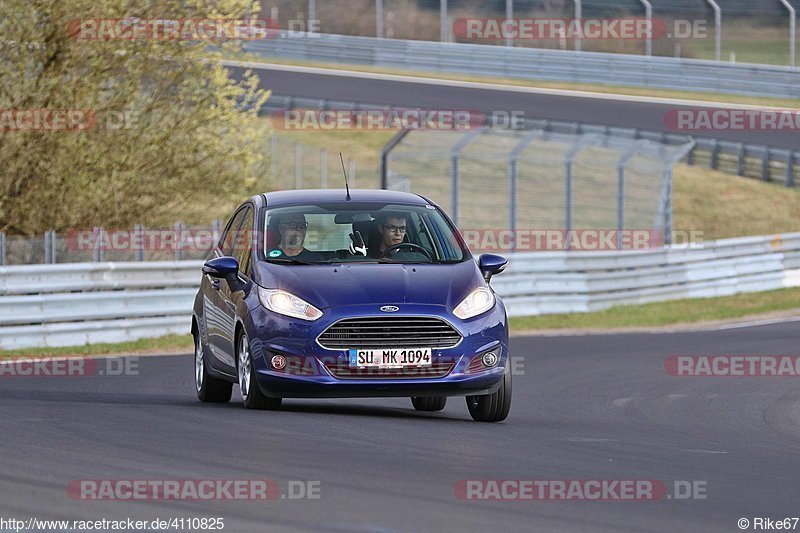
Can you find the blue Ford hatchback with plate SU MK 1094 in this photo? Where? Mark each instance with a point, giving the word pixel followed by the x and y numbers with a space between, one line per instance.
pixel 345 294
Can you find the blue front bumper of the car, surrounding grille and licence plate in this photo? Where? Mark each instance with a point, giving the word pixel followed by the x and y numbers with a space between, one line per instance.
pixel 312 369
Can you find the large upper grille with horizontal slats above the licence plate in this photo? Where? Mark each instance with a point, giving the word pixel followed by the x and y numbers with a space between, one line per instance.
pixel 389 332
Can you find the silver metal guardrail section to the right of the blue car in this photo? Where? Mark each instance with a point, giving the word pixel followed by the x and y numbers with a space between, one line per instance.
pixel 575 282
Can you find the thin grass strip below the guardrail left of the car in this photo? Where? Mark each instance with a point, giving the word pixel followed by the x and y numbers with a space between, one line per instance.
pixel 169 343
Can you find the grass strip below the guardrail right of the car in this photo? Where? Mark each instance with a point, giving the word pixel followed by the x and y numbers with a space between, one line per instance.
pixel 668 313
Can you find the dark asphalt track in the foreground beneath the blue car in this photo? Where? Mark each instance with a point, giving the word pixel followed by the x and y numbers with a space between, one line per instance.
pixel 586 407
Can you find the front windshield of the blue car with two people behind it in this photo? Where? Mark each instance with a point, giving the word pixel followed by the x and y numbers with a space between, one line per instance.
pixel 360 232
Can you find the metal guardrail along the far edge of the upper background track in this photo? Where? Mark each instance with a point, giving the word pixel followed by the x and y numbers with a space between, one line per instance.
pixel 539 64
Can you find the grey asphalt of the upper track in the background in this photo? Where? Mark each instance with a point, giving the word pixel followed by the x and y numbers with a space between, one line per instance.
pixel 599 110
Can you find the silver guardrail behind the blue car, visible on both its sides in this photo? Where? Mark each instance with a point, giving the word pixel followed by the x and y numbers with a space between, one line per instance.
pixel 74 304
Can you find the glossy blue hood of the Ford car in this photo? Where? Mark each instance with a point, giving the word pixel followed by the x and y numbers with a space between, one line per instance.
pixel 370 283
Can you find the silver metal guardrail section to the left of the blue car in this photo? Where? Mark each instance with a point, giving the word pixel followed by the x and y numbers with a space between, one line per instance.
pixel 87 303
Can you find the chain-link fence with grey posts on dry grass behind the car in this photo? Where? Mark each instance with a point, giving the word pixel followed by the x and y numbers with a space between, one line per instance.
pixel 534 180
